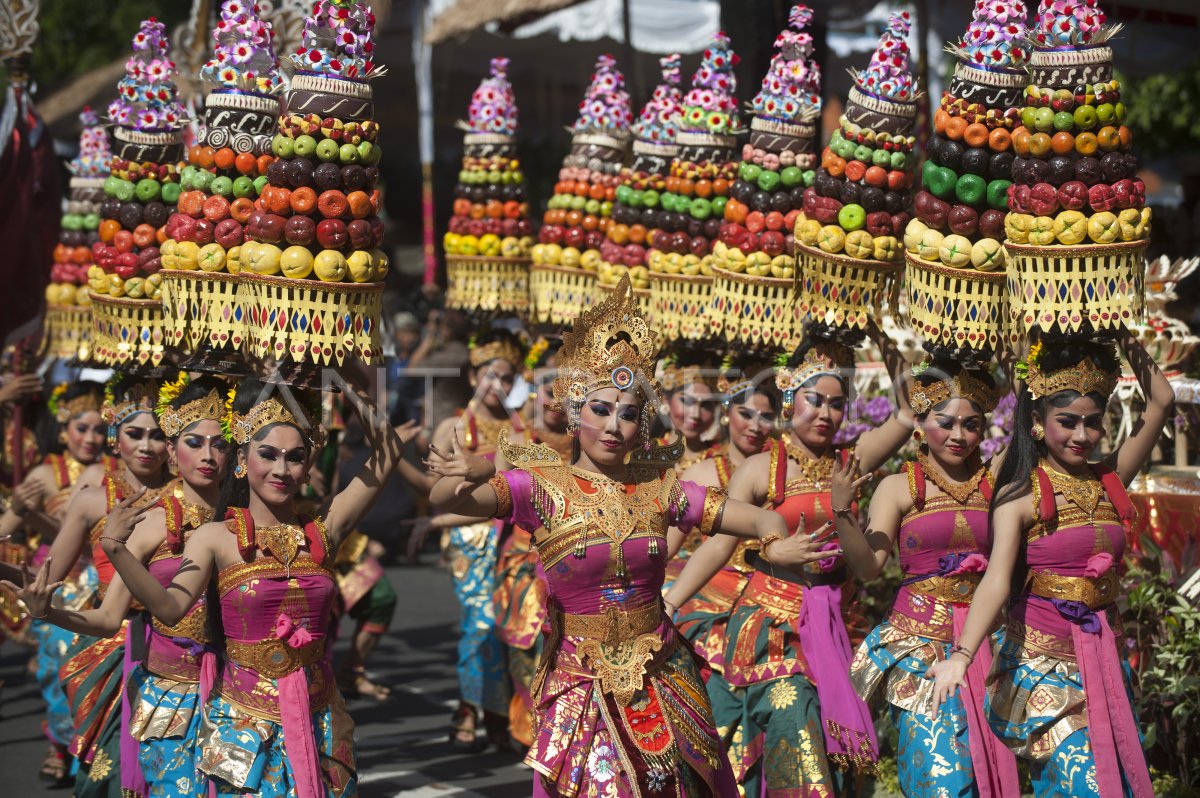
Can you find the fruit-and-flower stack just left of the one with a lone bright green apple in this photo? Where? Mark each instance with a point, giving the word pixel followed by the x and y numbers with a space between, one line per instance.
pixel 777 163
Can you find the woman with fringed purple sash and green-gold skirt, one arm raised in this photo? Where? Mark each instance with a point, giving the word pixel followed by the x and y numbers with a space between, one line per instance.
pixel 785 705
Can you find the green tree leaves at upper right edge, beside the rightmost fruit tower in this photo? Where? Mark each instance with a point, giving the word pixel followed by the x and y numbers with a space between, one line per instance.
pixel 1165 111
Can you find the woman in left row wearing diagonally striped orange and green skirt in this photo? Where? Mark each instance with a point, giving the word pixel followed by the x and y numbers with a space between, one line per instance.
pixel 94 669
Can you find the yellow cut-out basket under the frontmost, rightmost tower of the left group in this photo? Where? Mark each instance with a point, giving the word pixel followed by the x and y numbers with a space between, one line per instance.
pixel 313 322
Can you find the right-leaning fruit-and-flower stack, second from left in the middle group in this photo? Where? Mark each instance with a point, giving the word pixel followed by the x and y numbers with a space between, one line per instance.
pixel 579 215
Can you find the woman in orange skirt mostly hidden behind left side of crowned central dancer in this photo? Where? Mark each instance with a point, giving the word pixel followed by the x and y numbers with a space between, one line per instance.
pixel 520 590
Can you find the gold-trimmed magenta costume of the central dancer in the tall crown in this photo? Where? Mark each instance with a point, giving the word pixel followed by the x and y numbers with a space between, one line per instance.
pixel 617 687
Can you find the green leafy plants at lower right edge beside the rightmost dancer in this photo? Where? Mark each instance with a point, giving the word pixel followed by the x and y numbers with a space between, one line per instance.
pixel 1165 632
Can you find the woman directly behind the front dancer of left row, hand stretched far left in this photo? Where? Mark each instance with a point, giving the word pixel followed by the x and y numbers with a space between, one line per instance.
pixel 164 692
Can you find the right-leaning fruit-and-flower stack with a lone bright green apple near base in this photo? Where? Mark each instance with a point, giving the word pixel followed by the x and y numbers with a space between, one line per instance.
pixel 860 200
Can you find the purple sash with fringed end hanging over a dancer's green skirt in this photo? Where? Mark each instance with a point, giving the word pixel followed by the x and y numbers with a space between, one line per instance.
pixel 847 722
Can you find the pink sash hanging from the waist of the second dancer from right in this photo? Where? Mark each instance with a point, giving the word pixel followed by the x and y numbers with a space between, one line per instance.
pixel 994 765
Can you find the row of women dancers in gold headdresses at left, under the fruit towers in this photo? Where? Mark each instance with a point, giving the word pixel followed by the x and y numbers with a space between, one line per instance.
pixel 203 662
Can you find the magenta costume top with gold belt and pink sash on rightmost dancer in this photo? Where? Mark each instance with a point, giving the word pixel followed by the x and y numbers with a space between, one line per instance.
pixel 1069 609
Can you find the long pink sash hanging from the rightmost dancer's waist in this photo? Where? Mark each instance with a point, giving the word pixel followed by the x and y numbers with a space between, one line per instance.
pixel 1111 721
